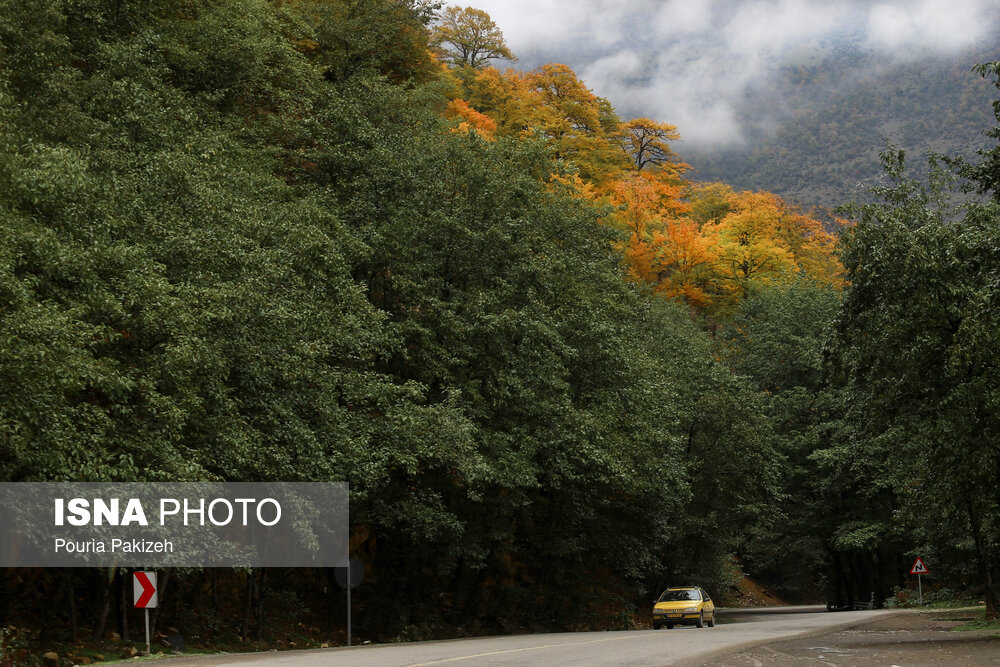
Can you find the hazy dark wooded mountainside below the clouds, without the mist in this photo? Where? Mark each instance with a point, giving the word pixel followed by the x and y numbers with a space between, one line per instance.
pixel 837 114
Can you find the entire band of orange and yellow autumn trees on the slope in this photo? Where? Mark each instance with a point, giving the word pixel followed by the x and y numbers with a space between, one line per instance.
pixel 705 245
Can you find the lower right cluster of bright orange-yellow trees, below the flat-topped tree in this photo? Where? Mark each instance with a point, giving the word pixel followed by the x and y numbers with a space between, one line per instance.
pixel 755 239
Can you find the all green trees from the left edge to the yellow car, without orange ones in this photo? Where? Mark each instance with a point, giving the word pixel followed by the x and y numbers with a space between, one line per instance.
pixel 233 248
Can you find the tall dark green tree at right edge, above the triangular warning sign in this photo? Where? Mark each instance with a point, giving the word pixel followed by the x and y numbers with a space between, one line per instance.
pixel 918 341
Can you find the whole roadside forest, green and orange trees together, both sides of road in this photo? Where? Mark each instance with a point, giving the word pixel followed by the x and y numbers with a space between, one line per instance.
pixel 250 240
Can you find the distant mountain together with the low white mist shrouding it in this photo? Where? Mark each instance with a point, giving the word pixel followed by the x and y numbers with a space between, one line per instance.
pixel 804 116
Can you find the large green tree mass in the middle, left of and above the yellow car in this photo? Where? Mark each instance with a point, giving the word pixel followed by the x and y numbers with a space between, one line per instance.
pixel 510 305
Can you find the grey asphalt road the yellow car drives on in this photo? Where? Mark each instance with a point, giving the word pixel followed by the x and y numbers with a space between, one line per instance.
pixel 681 646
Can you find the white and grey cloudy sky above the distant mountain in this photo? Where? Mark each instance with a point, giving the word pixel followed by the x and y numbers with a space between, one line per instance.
pixel 689 62
